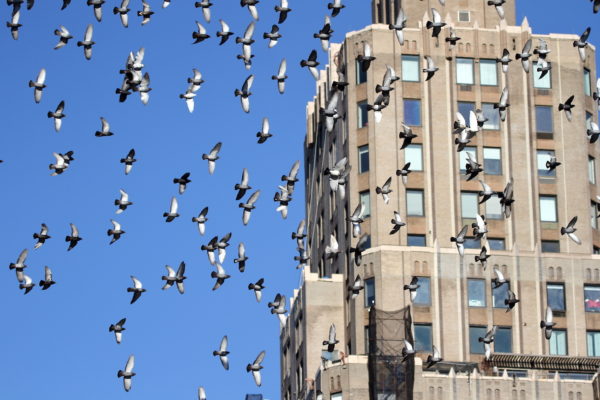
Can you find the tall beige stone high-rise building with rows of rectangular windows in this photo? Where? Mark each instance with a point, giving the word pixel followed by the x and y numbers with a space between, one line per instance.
pixel 457 302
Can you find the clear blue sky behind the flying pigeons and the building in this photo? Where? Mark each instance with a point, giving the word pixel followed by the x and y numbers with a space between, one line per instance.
pixel 56 344
